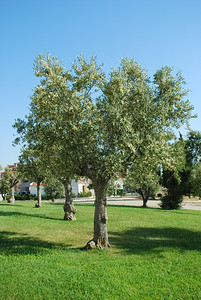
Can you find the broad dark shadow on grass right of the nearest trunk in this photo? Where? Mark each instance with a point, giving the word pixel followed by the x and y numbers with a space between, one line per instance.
pixel 154 240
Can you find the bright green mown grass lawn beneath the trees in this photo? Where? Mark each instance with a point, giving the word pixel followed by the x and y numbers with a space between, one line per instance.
pixel 154 254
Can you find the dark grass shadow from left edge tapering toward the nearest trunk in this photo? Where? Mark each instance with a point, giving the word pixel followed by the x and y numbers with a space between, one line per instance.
pixel 13 243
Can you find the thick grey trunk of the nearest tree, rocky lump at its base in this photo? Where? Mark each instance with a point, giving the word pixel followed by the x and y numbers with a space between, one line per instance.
pixel 100 239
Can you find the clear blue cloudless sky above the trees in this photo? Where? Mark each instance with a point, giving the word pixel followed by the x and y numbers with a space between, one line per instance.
pixel 154 32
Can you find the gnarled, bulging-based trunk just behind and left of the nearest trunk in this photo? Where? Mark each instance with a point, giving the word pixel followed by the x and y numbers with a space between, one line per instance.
pixel 69 208
